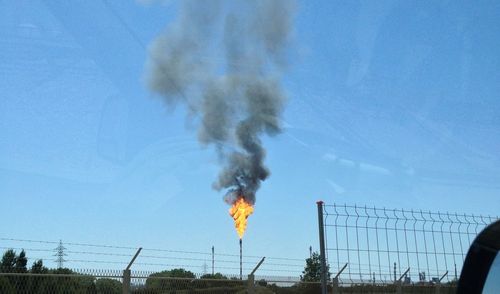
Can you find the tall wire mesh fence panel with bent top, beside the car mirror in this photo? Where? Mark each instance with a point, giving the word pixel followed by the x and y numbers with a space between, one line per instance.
pixel 379 245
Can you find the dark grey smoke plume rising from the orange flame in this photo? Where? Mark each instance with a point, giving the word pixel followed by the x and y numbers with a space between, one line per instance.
pixel 224 60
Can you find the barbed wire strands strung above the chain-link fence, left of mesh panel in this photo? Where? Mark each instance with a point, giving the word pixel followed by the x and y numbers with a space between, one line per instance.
pixel 112 256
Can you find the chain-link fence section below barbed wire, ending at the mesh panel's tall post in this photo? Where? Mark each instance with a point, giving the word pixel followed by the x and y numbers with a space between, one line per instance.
pixel 112 282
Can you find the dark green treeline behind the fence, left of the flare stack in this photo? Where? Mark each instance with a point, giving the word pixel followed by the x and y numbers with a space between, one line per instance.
pixel 17 277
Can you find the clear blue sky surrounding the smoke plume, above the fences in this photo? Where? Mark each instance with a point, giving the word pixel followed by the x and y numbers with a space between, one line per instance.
pixel 389 103
